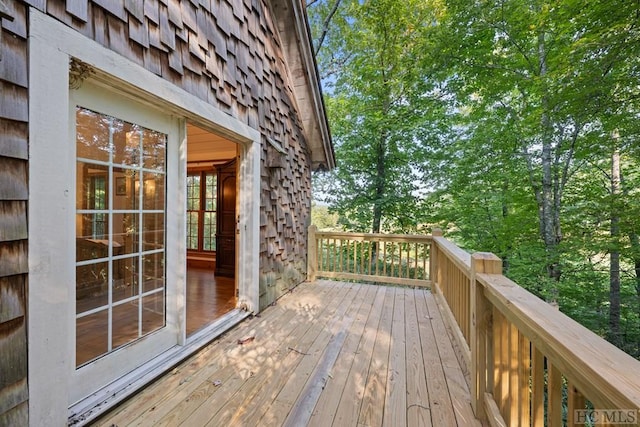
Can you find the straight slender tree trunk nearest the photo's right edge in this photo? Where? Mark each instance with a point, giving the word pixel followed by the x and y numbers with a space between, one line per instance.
pixel 614 266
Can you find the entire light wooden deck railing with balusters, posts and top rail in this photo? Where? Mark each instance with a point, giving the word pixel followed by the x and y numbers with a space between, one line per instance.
pixel 529 364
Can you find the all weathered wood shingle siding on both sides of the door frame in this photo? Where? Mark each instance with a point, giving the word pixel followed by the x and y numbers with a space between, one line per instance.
pixel 226 52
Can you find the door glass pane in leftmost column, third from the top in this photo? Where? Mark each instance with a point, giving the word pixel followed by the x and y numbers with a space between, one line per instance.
pixel 92 236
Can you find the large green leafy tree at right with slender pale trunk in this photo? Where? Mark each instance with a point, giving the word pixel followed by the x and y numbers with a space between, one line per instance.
pixel 550 72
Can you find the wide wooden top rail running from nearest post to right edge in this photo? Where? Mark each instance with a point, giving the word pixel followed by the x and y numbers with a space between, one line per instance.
pixel 601 371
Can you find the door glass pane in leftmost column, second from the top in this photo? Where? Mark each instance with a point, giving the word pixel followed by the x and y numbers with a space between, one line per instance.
pixel 92 186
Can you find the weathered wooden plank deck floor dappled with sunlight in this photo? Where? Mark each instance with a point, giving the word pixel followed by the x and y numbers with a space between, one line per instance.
pixel 328 353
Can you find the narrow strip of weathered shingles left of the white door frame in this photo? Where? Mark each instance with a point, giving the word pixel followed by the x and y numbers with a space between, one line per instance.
pixel 13 214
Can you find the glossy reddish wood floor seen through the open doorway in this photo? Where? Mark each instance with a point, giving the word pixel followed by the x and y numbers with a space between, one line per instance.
pixel 208 297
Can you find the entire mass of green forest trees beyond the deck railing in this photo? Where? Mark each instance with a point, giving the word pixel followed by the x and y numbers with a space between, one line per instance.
pixel 512 125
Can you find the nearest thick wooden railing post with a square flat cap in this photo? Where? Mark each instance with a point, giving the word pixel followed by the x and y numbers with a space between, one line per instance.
pixel 481 262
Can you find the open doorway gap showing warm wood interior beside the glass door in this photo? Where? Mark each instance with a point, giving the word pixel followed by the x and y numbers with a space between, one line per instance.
pixel 212 193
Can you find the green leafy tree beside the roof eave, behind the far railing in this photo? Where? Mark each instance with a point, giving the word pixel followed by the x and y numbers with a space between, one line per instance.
pixel 377 101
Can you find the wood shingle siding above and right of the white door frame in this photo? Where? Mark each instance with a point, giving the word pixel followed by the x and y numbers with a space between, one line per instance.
pixel 228 53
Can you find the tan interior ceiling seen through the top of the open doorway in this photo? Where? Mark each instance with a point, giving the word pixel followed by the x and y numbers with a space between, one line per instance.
pixel 204 146
